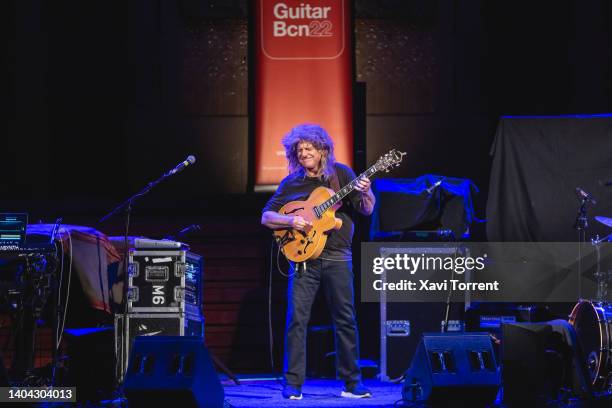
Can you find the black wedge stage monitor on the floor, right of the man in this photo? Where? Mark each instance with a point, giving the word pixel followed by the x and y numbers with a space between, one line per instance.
pixel 457 368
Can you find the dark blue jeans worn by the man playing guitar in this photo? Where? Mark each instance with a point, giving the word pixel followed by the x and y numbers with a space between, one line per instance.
pixel 336 277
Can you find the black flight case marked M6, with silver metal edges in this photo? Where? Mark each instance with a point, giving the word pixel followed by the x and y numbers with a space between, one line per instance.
pixel 165 281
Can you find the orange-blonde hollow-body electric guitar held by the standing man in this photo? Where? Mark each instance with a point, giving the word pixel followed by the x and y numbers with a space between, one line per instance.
pixel 320 209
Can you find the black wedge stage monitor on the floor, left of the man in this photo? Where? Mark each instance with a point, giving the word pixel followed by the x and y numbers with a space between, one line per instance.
pixel 172 371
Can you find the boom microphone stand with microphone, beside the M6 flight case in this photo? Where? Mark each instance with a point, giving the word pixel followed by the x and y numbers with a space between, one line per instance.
pixel 127 206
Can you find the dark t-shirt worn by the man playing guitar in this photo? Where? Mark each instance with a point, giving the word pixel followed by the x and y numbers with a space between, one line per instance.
pixel 298 186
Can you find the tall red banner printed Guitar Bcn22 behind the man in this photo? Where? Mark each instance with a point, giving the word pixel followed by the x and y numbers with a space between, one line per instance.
pixel 303 73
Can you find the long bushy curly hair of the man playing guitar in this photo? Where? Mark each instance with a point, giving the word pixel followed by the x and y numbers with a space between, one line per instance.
pixel 318 137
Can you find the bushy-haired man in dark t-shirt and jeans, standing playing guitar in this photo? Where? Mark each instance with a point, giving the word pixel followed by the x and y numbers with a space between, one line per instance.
pixel 310 155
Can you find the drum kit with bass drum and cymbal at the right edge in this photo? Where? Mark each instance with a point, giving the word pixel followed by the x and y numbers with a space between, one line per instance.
pixel 592 321
